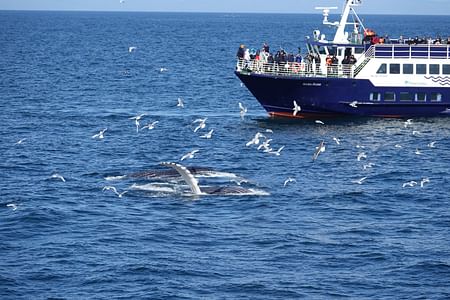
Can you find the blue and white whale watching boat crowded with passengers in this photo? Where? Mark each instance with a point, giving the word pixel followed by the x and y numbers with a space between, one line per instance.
pixel 358 73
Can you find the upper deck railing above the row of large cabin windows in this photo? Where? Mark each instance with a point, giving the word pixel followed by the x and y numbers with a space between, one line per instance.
pixel 409 51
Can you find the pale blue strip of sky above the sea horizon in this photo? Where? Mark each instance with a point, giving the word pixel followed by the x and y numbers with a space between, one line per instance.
pixel 414 7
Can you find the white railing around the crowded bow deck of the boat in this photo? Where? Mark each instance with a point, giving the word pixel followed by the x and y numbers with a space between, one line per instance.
pixel 294 69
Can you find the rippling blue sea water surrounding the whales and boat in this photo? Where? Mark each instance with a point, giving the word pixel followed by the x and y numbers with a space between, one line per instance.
pixel 64 76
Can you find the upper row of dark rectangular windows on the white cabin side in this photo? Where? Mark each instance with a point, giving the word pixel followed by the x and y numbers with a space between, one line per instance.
pixel 420 69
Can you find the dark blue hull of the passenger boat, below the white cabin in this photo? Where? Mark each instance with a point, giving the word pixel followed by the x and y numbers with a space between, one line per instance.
pixel 330 97
